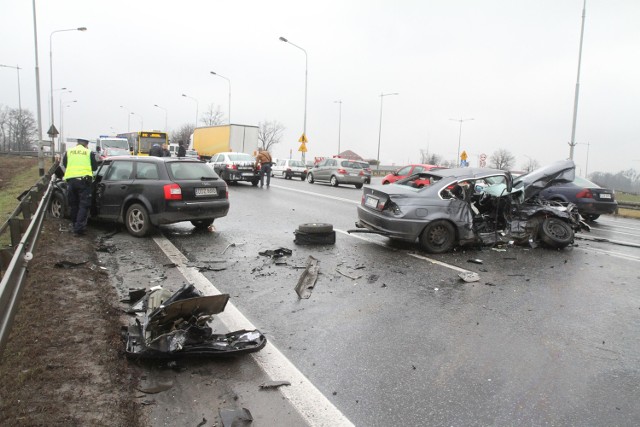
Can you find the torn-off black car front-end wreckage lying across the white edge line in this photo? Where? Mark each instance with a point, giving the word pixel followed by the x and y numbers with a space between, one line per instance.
pixel 173 325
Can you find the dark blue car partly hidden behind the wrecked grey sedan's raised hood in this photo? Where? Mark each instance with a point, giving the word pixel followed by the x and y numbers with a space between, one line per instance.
pixel 591 199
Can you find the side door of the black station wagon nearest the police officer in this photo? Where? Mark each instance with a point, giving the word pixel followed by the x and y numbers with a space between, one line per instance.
pixel 112 189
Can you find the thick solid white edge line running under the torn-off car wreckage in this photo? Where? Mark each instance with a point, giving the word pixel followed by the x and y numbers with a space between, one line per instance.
pixel 312 405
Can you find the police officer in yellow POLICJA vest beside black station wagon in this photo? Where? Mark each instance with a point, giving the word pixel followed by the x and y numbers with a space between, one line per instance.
pixel 79 163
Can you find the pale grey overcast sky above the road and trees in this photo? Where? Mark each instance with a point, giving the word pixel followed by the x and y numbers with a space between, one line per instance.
pixel 511 65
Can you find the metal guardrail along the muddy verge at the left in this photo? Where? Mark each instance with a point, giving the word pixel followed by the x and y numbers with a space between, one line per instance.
pixel 14 259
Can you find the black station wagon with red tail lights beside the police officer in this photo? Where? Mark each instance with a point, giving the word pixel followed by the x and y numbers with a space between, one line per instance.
pixel 143 192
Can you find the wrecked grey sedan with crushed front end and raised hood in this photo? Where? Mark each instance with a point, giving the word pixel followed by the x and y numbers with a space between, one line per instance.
pixel 451 212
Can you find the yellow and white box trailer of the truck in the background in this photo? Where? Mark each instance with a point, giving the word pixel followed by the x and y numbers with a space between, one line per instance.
pixel 211 140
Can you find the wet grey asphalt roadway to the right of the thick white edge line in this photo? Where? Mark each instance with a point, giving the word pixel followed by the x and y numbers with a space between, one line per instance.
pixel 544 338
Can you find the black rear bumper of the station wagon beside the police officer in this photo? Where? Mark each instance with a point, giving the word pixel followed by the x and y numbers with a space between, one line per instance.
pixel 178 211
